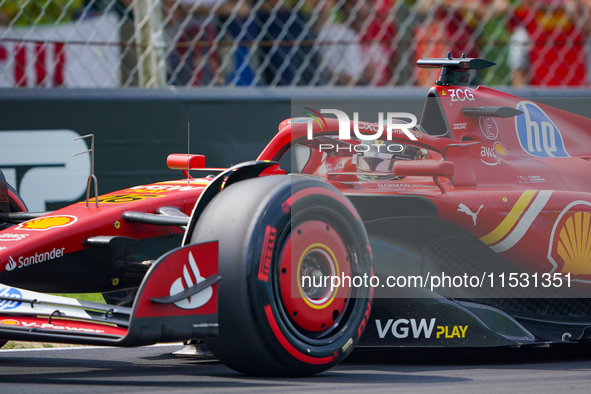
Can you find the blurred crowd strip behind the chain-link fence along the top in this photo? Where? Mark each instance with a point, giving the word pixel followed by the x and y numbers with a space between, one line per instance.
pixel 274 43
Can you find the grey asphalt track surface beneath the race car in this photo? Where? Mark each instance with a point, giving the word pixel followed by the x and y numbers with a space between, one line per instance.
pixel 155 369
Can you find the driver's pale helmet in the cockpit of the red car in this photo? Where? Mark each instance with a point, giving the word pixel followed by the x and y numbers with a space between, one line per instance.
pixel 379 157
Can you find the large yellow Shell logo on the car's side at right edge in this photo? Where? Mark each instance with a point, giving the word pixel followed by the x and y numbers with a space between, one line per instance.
pixel 573 244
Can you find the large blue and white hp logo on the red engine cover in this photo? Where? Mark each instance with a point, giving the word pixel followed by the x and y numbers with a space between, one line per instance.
pixel 537 134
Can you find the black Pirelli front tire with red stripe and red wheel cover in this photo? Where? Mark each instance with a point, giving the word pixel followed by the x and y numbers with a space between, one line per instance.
pixel 270 323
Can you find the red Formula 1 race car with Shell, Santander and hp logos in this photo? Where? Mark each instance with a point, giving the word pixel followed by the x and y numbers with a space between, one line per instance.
pixel 472 229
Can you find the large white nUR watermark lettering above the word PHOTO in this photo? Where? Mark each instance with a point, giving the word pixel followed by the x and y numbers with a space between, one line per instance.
pixel 392 121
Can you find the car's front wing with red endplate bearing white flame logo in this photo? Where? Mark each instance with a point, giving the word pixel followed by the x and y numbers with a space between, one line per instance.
pixel 177 300
